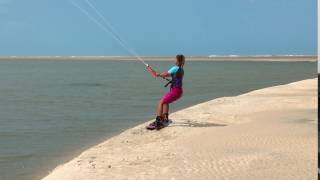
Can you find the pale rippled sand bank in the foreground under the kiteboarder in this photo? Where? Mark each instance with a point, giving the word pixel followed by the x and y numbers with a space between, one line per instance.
pixel 265 134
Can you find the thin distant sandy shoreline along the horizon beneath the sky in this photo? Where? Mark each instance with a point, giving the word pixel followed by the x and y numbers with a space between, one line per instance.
pixel 285 58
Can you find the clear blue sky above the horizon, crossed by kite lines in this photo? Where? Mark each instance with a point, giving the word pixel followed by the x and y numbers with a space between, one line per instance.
pixel 162 27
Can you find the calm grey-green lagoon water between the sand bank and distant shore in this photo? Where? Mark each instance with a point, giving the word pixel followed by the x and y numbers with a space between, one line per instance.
pixel 50 111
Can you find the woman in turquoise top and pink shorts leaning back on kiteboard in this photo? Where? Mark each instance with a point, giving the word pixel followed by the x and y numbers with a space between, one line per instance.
pixel 176 72
